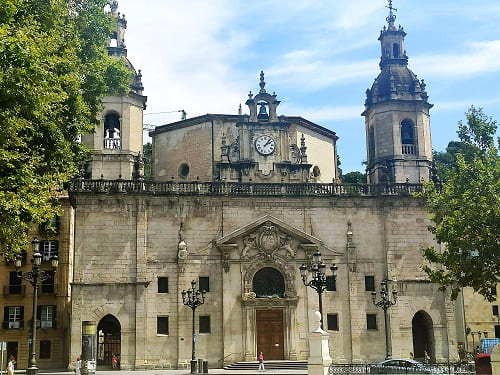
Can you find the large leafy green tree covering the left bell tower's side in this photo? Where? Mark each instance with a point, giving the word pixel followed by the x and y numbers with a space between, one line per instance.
pixel 54 68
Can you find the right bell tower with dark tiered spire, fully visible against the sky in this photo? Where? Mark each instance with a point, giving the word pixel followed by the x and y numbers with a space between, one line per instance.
pixel 397 119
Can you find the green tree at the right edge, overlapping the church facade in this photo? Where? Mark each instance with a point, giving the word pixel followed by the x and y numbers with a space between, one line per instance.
pixel 466 212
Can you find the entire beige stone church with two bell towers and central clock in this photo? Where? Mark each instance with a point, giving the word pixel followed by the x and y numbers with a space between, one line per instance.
pixel 238 203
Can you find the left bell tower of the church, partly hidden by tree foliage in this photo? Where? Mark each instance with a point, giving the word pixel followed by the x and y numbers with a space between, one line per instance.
pixel 117 142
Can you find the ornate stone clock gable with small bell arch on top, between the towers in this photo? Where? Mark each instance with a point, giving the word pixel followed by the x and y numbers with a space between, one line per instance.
pixel 262 151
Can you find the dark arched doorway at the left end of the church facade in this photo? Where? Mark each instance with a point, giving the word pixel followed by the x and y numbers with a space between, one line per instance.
pixel 109 340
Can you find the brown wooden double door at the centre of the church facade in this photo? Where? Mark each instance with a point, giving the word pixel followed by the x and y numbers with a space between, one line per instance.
pixel 270 333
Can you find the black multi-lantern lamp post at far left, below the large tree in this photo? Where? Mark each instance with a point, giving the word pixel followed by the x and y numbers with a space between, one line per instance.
pixel 34 277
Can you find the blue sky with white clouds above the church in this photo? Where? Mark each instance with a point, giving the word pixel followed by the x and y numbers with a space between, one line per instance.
pixel 319 56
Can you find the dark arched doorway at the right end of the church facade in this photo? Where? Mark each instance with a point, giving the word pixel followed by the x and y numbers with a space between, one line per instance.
pixel 423 336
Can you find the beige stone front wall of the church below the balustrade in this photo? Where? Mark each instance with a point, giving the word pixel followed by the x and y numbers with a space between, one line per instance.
pixel 125 241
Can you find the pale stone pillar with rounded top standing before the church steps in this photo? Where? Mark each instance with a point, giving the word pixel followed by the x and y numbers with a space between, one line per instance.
pixel 319 352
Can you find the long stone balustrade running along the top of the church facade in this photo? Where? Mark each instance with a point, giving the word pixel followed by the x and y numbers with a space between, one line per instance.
pixel 241 189
